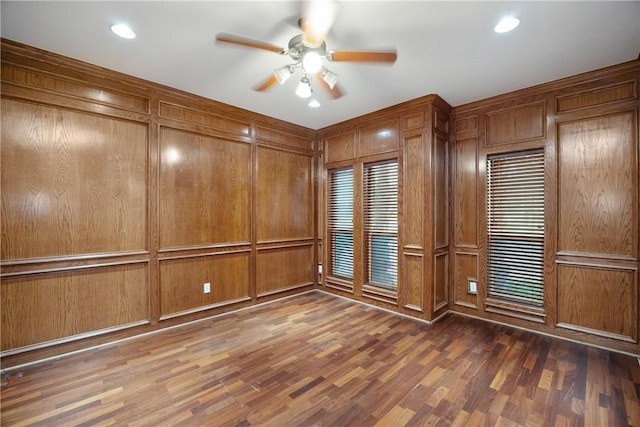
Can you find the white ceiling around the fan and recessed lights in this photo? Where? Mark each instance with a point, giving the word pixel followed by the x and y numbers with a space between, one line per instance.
pixel 447 48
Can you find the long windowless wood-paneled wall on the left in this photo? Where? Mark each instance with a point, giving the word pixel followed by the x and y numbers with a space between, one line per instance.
pixel 121 198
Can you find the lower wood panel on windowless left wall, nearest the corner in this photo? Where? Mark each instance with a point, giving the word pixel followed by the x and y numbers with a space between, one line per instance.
pixel 284 268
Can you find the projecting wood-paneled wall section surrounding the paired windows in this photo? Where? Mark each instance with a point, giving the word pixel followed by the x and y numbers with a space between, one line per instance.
pixel 415 133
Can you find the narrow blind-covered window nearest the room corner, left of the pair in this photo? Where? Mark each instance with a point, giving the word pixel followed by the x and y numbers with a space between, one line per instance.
pixel 340 222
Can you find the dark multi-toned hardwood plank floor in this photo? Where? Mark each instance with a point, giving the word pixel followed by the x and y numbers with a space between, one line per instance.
pixel 318 360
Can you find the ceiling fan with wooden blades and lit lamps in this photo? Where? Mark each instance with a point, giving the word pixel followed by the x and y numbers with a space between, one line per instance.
pixel 308 50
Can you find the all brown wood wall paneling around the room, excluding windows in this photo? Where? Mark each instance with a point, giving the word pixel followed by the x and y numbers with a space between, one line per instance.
pixel 121 198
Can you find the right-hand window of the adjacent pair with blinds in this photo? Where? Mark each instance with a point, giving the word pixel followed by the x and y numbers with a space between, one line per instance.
pixel 381 223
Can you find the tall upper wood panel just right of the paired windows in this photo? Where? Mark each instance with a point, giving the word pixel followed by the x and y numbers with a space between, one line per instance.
pixel 413 194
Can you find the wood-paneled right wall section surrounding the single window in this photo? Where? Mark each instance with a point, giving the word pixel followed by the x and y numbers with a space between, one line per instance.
pixel 588 127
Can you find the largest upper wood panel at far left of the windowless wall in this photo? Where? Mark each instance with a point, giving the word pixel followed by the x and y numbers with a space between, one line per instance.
pixel 72 183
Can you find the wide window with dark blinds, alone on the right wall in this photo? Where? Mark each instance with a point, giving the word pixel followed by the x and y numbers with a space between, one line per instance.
pixel 515 222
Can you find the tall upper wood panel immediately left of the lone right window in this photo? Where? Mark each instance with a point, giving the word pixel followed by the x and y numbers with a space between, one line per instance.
pixel 465 192
